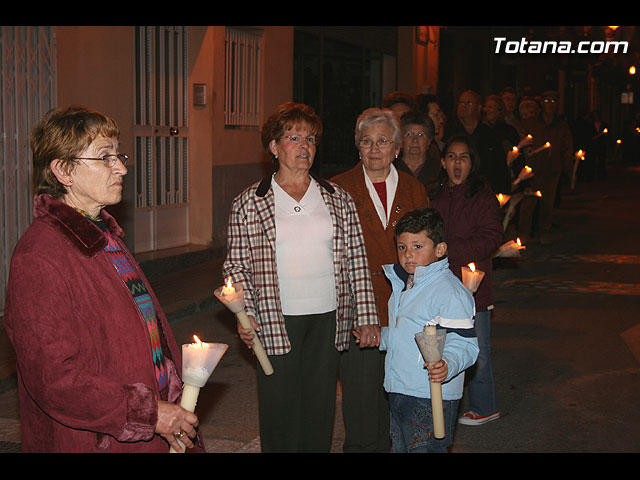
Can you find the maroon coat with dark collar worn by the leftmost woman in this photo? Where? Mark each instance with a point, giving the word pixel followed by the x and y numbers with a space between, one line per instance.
pixel 85 375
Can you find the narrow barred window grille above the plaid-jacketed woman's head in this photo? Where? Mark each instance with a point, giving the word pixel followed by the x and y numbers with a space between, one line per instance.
pixel 243 50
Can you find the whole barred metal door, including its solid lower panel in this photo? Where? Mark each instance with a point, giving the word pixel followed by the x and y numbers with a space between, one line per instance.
pixel 161 145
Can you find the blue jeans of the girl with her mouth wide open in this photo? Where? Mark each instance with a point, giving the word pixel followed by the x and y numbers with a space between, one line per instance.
pixel 481 386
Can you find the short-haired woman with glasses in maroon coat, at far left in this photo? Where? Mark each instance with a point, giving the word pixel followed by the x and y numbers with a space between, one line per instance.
pixel 97 362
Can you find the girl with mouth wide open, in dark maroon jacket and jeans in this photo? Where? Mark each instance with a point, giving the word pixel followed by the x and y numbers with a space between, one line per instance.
pixel 473 227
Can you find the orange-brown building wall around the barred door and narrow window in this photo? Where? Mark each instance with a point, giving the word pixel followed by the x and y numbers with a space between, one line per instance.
pixel 96 69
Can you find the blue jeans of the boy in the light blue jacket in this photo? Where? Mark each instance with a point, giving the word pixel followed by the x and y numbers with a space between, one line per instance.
pixel 412 424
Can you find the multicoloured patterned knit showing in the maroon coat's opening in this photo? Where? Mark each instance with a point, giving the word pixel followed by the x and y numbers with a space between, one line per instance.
pixel 143 301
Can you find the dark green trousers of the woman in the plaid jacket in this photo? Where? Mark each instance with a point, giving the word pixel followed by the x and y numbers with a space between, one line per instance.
pixel 297 402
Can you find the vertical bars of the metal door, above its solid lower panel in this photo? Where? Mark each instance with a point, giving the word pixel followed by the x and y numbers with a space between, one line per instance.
pixel 161 146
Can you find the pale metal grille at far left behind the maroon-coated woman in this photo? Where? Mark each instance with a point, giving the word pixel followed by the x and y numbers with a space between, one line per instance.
pixel 27 92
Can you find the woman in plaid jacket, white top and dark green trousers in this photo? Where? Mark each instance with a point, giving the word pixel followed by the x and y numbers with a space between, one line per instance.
pixel 295 244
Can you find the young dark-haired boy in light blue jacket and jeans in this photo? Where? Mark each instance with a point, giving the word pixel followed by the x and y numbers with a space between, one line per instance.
pixel 425 292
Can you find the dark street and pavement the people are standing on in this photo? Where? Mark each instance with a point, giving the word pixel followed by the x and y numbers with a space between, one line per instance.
pixel 565 340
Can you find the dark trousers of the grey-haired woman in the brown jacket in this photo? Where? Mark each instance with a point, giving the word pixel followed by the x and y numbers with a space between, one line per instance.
pixel 365 403
